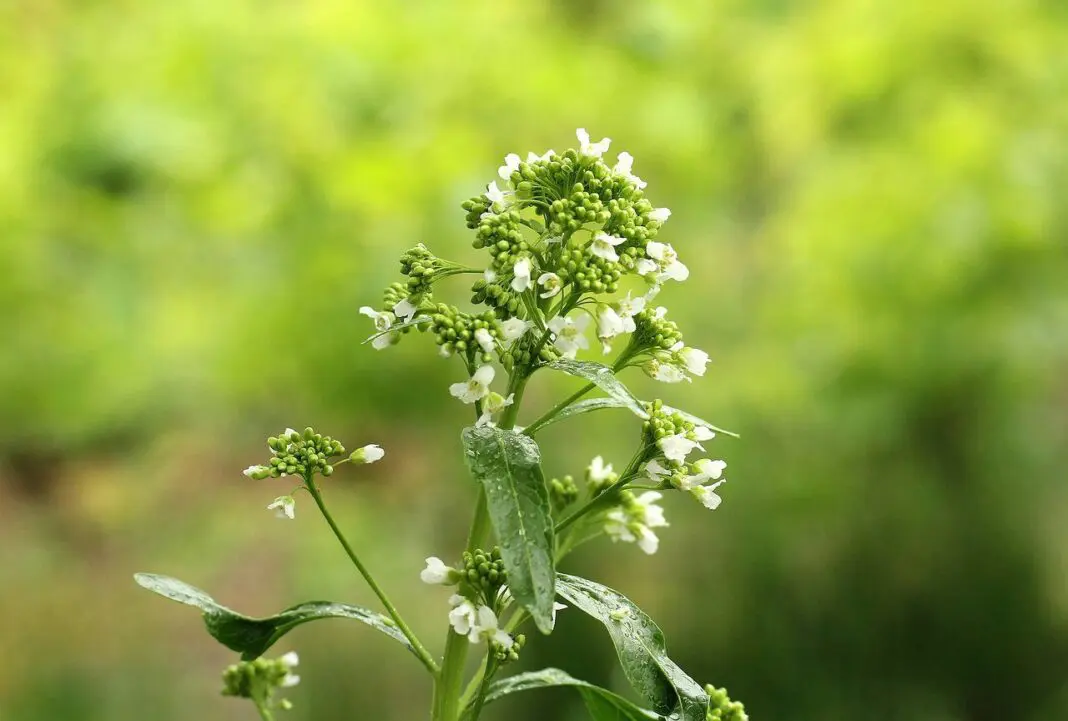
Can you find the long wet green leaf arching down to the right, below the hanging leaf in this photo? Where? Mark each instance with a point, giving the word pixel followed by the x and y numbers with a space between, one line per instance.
pixel 641 648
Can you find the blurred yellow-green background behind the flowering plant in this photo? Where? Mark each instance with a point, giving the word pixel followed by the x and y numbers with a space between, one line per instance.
pixel 197 197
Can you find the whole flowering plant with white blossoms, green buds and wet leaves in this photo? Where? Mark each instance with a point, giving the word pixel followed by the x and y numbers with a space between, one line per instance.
pixel 563 233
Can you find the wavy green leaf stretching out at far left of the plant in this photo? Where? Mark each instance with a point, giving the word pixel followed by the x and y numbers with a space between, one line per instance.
pixel 253 637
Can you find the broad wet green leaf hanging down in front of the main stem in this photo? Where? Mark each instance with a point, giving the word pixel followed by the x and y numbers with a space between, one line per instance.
pixel 507 464
